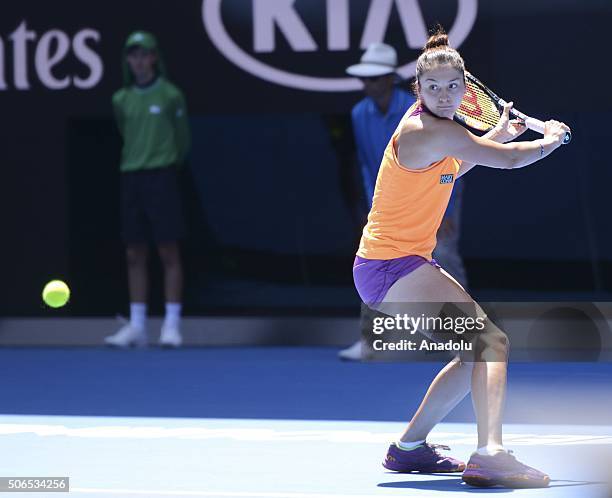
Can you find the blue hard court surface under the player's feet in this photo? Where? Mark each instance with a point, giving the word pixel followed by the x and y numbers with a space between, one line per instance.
pixel 277 422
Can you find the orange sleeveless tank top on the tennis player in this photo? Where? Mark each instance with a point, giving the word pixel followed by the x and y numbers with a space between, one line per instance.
pixel 408 206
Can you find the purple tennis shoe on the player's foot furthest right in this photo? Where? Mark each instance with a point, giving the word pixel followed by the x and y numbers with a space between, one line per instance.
pixel 502 469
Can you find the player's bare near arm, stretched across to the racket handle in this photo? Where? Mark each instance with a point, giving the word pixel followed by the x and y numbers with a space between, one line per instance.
pixel 453 140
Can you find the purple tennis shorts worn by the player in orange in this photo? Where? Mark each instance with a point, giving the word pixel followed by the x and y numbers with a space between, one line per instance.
pixel 374 277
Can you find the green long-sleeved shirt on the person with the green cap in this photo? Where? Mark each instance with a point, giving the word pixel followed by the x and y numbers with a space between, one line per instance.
pixel 154 126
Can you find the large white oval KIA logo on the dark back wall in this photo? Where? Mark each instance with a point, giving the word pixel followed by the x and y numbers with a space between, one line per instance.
pixel 280 18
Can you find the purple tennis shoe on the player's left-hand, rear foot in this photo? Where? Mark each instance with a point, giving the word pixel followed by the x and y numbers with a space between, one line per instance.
pixel 424 458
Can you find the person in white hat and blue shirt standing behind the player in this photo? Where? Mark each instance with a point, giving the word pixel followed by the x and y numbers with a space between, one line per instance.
pixel 374 120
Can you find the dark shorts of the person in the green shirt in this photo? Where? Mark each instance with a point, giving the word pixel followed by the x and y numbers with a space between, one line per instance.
pixel 151 208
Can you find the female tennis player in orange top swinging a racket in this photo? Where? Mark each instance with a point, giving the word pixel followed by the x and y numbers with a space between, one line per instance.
pixel 424 157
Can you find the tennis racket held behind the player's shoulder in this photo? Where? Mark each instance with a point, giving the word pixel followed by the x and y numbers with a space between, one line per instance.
pixel 481 109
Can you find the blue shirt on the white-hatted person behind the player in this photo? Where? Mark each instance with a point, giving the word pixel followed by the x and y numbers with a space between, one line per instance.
pixel 373 130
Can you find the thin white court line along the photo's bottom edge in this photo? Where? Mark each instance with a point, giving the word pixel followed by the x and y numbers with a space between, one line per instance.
pixel 219 494
